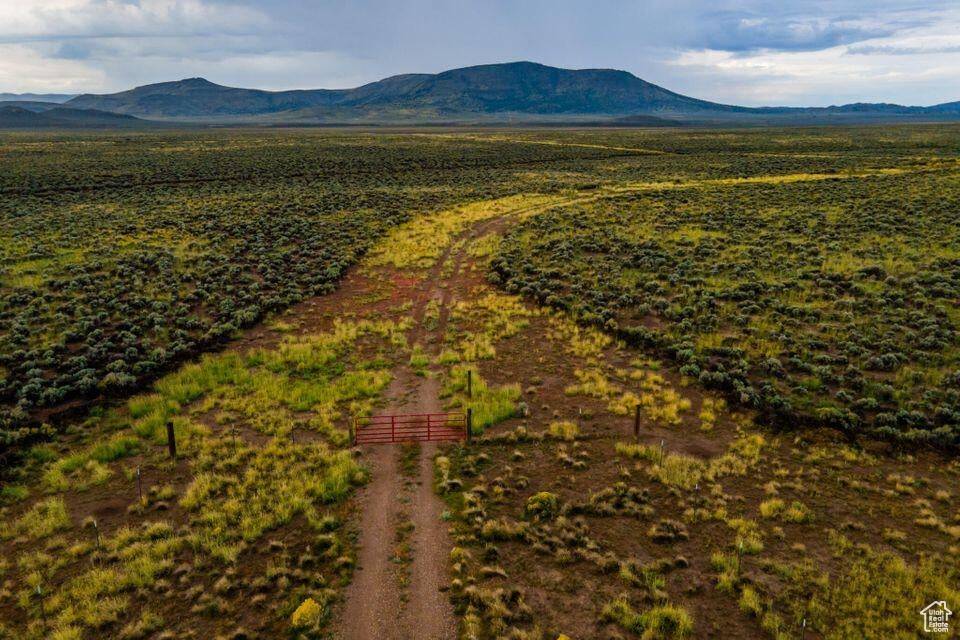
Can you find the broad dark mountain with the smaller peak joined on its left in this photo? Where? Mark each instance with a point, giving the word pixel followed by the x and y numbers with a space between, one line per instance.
pixel 522 89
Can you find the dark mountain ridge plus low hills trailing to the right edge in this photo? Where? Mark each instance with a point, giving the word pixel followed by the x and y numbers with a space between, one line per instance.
pixel 520 92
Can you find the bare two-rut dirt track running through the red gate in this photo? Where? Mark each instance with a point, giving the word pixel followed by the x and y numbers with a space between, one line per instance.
pixel 375 608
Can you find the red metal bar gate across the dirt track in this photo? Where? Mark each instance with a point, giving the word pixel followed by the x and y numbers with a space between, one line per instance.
pixel 419 427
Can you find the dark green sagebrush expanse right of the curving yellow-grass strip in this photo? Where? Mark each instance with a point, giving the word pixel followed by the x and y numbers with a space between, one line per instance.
pixel 818 298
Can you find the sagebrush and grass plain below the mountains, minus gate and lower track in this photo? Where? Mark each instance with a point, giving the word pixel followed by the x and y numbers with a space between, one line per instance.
pixel 742 295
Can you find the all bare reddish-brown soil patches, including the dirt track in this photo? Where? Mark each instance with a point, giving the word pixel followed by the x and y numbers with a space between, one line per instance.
pixel 563 597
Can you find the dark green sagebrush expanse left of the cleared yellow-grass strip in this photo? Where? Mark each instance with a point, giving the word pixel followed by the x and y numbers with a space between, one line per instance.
pixel 123 254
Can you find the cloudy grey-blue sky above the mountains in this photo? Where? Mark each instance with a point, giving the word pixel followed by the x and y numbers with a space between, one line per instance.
pixel 750 52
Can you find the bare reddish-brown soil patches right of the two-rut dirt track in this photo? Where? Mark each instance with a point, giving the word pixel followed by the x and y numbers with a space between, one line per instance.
pixel 567 597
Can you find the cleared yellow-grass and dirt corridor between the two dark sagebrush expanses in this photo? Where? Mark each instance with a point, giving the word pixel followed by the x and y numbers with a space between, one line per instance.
pixel 557 521
